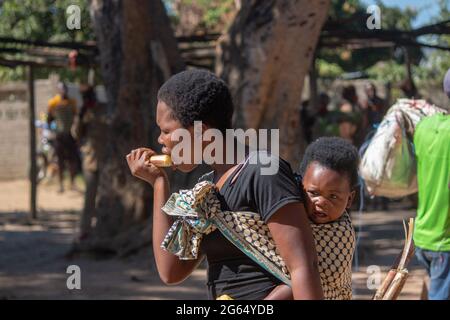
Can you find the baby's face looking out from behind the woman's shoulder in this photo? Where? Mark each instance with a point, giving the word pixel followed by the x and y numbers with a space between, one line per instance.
pixel 328 193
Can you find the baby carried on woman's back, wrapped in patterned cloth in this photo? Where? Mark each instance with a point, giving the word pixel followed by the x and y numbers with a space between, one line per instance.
pixel 329 174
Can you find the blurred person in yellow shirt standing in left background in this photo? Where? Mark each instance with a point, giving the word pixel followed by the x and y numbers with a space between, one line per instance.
pixel 62 110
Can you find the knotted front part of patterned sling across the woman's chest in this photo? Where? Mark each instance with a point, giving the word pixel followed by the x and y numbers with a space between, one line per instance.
pixel 197 212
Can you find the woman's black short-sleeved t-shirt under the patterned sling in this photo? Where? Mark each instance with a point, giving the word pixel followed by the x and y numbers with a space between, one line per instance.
pixel 230 271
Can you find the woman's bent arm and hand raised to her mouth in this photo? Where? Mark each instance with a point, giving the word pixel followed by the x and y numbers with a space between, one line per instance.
pixel 171 269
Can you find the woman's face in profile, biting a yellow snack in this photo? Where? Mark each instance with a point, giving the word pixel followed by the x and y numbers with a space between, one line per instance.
pixel 167 123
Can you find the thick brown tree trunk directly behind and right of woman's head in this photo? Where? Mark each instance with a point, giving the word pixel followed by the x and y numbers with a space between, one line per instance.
pixel 264 58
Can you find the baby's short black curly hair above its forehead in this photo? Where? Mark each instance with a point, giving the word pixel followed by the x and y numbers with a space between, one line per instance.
pixel 333 153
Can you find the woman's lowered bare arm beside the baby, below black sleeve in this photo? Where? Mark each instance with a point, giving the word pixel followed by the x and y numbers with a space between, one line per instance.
pixel 293 236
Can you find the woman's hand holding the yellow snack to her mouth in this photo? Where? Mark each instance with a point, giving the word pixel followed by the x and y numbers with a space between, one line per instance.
pixel 140 167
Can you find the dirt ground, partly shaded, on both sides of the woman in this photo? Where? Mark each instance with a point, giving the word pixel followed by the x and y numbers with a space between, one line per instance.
pixel 33 260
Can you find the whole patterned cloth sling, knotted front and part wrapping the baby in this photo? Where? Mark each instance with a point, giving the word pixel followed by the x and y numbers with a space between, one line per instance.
pixel 197 212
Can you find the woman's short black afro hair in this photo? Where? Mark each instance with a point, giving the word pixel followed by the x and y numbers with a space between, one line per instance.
pixel 198 95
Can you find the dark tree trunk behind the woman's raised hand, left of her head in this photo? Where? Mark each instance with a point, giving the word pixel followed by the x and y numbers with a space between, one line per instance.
pixel 138 52
